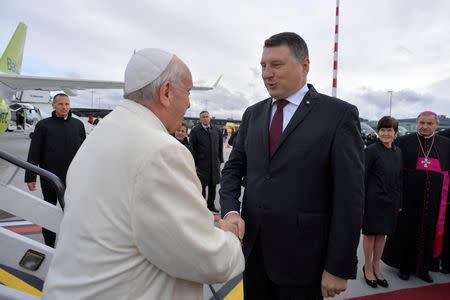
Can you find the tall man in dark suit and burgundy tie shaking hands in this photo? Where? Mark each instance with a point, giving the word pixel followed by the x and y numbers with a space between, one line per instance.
pixel 302 158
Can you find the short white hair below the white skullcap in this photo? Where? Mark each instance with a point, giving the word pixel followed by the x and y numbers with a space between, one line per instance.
pixel 172 73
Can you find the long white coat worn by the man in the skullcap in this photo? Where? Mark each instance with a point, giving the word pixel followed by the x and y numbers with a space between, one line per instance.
pixel 136 225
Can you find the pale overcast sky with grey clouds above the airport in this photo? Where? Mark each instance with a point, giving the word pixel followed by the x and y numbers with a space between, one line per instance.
pixel 401 45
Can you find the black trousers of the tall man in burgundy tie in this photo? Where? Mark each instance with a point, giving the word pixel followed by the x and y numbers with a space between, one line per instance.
pixel 258 286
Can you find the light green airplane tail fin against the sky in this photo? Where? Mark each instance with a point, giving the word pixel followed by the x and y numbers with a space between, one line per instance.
pixel 11 61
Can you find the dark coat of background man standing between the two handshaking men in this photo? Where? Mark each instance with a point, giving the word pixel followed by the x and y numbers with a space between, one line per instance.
pixel 207 149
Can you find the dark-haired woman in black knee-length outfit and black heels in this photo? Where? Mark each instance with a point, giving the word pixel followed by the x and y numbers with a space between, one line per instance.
pixel 383 180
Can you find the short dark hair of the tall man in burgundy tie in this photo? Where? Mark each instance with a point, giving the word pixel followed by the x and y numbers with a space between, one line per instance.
pixel 296 44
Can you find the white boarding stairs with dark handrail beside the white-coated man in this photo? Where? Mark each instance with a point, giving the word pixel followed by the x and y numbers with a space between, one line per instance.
pixel 17 251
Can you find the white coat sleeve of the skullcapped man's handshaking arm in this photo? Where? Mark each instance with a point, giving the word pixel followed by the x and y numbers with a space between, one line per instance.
pixel 173 228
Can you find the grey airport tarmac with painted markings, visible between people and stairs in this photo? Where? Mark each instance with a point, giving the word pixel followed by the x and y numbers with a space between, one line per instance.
pixel 17 143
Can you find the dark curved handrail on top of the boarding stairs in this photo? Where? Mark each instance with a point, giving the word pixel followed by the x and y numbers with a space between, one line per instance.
pixel 52 178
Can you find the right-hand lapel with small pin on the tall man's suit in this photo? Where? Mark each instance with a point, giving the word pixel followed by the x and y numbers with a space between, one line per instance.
pixel 308 102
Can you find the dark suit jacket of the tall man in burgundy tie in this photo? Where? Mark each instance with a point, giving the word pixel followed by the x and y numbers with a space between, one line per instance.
pixel 306 200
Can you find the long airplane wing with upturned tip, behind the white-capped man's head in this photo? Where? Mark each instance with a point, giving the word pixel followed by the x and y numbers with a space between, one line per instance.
pixel 22 82
